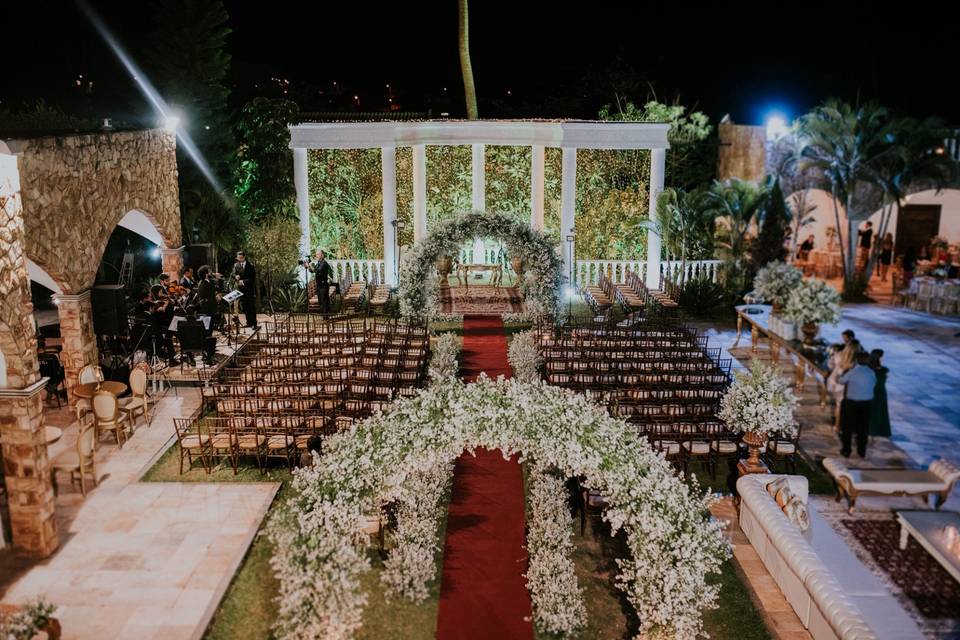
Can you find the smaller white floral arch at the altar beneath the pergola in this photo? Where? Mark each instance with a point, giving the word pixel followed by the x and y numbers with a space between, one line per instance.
pixel 541 285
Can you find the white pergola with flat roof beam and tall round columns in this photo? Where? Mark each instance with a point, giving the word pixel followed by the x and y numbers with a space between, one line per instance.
pixel 568 135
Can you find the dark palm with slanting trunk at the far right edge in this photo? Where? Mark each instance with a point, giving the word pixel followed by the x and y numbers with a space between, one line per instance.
pixel 918 162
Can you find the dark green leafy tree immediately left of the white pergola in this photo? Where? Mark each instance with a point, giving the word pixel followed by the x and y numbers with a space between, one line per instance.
pixel 264 177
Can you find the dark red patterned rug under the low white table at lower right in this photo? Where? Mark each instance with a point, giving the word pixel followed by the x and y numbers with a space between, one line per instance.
pixel 925 590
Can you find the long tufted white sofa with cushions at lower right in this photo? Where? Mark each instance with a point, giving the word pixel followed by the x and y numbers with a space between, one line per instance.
pixel 833 593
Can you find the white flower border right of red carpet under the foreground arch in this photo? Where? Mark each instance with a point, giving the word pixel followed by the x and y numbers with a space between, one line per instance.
pixel 556 596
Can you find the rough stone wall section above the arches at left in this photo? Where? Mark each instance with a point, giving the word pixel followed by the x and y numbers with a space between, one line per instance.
pixel 76 189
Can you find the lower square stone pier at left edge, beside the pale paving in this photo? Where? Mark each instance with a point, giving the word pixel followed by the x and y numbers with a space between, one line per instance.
pixel 26 469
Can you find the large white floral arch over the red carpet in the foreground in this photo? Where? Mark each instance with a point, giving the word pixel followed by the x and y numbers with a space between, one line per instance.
pixel 319 534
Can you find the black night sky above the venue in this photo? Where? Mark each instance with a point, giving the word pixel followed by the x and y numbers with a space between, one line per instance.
pixel 530 59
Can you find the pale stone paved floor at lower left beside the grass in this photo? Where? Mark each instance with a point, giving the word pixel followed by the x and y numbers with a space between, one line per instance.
pixel 144 560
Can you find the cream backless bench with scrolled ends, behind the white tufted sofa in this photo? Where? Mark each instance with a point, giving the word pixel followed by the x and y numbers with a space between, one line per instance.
pixel 851 483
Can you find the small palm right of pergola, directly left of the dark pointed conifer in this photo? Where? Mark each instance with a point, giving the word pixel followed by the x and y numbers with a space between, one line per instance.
pixel 738 203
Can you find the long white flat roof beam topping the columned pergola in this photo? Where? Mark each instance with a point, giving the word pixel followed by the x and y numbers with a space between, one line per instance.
pixel 578 134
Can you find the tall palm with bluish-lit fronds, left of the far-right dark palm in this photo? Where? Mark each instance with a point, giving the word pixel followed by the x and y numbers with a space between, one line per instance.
pixel 846 144
